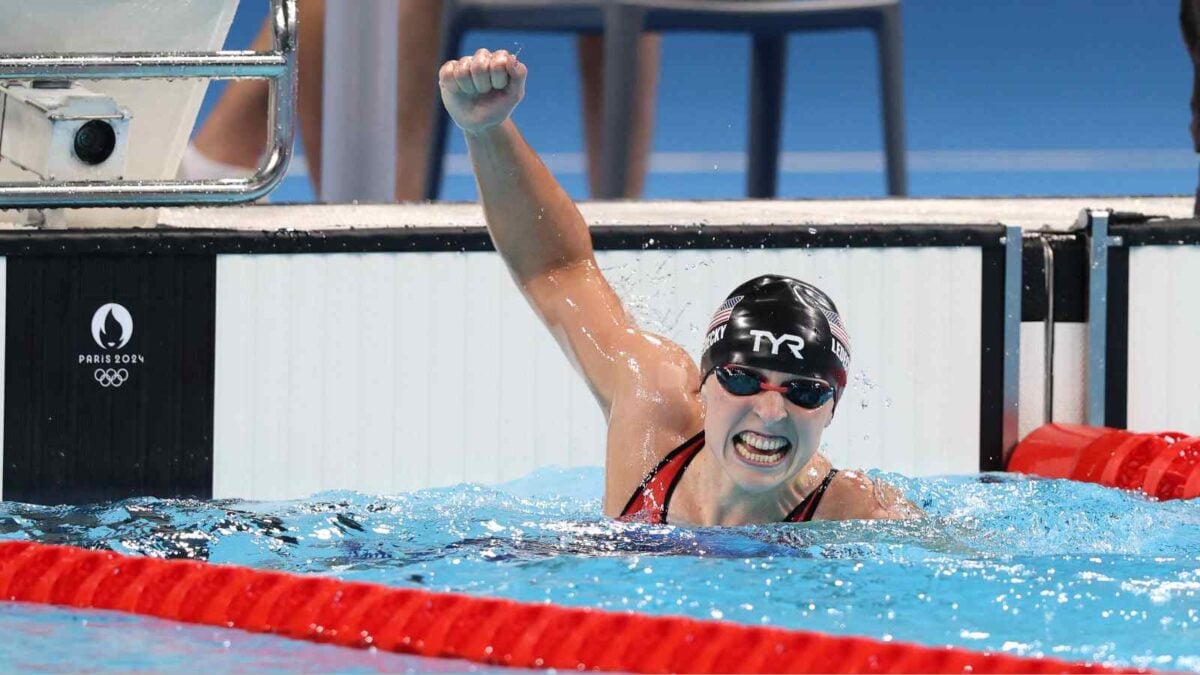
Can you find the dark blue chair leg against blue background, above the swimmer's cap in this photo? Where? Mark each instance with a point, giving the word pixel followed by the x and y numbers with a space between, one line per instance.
pixel 767 68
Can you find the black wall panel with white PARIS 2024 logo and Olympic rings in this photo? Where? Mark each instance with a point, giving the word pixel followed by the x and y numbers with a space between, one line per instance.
pixel 109 378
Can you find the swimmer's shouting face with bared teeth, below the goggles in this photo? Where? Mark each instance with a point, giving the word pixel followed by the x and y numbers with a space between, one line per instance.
pixel 761 441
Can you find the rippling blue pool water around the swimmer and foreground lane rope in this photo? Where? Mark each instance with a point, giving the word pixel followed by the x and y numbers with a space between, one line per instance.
pixel 1028 568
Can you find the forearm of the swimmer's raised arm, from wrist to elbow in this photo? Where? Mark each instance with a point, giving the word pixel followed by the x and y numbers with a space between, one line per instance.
pixel 532 220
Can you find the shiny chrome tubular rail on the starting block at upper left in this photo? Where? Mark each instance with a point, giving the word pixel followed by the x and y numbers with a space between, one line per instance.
pixel 278 67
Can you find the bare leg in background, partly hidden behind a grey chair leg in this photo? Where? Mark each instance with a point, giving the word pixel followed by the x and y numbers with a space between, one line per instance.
pixel 591 51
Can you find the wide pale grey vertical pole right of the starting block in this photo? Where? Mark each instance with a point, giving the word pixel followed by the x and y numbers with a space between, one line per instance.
pixel 359 104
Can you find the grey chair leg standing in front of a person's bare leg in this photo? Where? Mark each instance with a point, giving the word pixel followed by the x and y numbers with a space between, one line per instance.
pixel 622 31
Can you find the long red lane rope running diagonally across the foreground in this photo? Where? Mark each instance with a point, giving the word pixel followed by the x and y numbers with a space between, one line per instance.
pixel 446 625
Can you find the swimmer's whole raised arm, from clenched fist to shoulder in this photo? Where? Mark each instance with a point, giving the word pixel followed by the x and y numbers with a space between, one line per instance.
pixel 545 242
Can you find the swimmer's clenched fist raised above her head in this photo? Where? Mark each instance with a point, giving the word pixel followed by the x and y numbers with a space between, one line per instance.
pixel 481 92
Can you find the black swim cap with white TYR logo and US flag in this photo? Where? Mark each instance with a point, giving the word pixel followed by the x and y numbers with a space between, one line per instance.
pixel 779 324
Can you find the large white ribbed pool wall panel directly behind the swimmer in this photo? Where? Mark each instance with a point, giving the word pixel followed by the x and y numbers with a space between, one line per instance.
pixel 388 373
